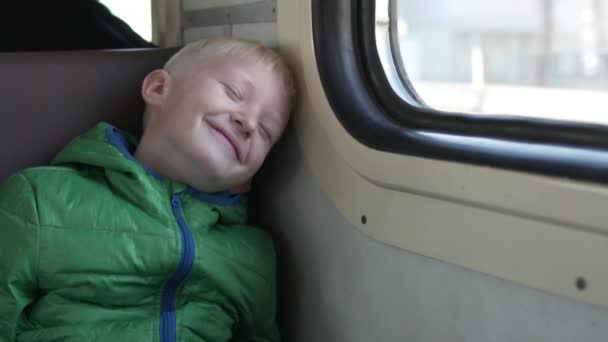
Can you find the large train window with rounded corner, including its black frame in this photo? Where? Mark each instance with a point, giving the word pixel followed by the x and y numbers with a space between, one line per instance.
pixel 417 85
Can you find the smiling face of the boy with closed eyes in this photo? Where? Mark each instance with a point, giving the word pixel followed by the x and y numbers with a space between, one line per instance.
pixel 222 118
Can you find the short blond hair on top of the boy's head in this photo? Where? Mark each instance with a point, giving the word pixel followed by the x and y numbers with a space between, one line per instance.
pixel 240 47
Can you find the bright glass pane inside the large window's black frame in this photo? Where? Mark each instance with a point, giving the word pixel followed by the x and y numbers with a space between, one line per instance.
pixel 543 59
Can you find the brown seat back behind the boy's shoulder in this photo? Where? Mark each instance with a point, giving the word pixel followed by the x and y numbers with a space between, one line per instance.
pixel 47 98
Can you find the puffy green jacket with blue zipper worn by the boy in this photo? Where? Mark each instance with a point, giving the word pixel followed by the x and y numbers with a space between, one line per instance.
pixel 96 247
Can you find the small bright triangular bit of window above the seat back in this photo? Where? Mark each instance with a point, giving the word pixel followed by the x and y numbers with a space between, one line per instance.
pixel 136 13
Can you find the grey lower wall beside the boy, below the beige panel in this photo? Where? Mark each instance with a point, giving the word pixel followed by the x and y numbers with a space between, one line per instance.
pixel 338 285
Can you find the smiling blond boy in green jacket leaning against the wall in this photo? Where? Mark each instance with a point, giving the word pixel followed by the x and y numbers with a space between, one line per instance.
pixel 118 241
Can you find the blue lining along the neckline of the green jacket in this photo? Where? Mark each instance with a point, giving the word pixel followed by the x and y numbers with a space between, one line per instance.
pixel 117 140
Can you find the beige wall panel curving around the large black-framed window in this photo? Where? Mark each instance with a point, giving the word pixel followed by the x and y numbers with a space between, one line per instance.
pixel 539 231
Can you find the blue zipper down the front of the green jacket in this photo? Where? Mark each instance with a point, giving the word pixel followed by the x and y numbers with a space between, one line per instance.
pixel 167 302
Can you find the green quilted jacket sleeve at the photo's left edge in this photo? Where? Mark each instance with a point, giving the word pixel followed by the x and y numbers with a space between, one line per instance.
pixel 18 252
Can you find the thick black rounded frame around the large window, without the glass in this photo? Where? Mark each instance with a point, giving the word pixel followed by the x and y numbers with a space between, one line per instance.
pixel 374 114
